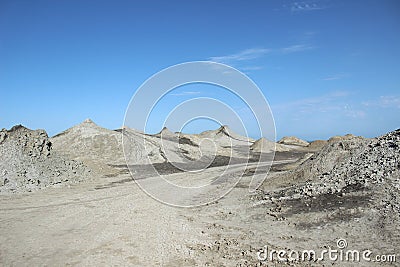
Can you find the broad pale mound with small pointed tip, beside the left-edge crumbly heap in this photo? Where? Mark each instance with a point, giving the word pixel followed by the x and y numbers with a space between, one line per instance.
pixel 102 149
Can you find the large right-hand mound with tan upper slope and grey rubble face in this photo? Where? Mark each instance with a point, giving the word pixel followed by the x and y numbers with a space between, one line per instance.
pixel 351 164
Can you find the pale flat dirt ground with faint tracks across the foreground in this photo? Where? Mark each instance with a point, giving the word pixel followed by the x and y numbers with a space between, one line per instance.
pixel 111 221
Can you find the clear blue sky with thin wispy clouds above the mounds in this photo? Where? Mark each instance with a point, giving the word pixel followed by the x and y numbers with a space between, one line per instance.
pixel 325 67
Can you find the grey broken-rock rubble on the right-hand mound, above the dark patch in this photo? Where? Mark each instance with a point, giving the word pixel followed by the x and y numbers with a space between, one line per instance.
pixel 374 163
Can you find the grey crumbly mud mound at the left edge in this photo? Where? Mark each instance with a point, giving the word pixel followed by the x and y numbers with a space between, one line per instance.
pixel 27 162
